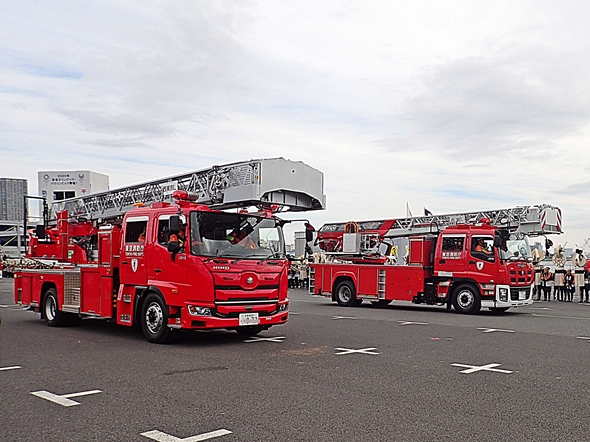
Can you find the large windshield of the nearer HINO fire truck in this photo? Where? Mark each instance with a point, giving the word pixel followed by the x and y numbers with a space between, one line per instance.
pixel 236 235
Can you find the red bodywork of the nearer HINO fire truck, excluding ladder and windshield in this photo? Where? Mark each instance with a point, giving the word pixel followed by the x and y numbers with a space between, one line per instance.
pixel 112 281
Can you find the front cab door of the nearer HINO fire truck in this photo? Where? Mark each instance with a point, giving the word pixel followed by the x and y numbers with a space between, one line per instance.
pixel 161 266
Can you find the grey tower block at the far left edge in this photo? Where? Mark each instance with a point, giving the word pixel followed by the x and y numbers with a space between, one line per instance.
pixel 12 212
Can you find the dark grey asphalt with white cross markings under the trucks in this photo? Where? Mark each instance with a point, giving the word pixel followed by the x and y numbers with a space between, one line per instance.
pixel 394 373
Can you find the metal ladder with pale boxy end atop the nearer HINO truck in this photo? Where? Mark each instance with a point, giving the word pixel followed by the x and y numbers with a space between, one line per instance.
pixel 292 185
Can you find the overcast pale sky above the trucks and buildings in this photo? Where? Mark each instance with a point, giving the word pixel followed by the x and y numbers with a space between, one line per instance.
pixel 450 105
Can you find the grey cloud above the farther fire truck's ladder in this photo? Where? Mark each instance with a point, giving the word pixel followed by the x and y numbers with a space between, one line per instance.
pixel 521 101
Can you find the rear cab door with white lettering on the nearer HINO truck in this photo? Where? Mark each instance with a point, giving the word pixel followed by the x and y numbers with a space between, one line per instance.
pixel 133 268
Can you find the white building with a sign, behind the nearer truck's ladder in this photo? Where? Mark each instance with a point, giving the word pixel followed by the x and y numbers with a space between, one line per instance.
pixel 59 185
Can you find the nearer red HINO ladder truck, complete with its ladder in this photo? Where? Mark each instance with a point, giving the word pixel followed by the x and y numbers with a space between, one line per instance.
pixel 165 256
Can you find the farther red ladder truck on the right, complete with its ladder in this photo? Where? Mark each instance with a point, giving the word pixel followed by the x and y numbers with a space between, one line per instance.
pixel 466 260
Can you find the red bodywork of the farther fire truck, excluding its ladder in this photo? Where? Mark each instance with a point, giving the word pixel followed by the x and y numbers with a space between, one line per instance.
pixel 432 272
